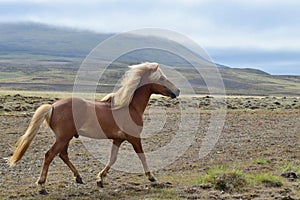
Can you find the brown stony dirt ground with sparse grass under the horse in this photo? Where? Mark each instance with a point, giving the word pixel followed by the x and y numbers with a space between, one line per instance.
pixel 260 135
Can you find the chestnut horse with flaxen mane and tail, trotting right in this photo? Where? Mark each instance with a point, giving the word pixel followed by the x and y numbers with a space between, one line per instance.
pixel 118 117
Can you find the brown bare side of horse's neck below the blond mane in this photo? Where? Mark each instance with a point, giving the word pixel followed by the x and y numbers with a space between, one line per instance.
pixel 141 98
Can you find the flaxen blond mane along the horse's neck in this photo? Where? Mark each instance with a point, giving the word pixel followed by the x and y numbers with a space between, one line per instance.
pixel 129 84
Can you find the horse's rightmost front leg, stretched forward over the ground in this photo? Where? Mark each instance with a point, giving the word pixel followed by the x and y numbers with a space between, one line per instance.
pixel 137 145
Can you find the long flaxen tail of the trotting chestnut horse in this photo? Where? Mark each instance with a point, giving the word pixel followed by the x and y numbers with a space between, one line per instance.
pixel 44 112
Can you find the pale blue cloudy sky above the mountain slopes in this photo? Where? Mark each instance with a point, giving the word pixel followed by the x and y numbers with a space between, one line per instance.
pixel 262 34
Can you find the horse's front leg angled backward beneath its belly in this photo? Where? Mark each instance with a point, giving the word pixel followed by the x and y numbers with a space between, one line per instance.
pixel 113 157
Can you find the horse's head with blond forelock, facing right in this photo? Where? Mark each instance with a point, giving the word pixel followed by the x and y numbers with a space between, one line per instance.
pixel 160 83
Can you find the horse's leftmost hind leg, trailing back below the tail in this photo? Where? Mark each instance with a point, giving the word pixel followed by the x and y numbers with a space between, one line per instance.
pixel 50 154
